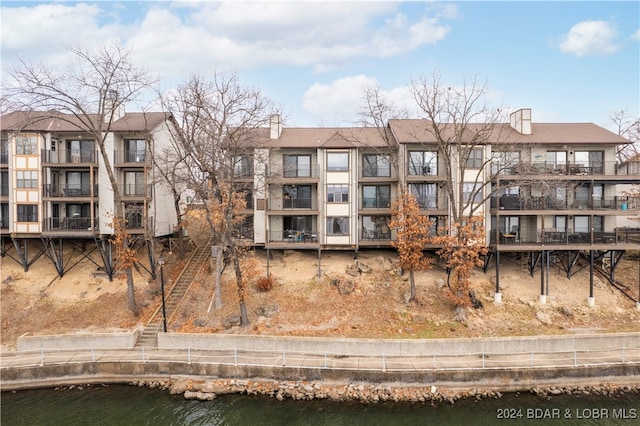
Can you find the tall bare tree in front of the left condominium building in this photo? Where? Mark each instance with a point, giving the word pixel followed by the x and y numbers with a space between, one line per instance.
pixel 89 94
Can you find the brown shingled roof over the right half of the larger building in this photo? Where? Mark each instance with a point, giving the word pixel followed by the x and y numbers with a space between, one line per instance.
pixel 420 131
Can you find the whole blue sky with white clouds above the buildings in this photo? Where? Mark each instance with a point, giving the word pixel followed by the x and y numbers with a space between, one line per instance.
pixel 575 61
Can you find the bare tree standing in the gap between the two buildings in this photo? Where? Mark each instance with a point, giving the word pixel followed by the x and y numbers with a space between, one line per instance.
pixel 217 121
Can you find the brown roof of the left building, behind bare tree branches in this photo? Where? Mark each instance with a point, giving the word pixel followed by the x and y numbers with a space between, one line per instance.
pixel 54 121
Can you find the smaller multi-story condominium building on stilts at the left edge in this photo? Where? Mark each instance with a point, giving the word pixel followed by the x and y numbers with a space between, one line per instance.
pixel 56 190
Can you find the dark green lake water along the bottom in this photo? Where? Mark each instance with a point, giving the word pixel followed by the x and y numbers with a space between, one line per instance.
pixel 129 405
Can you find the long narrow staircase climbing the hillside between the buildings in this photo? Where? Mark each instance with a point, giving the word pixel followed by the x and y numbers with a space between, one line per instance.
pixel 173 297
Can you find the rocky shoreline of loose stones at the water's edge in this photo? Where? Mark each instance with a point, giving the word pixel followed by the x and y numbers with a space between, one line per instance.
pixel 207 390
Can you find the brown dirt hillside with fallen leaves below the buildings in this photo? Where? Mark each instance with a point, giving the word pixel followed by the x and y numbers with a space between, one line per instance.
pixel 370 304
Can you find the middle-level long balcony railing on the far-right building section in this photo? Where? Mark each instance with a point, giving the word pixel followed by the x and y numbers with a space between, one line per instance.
pixel 517 202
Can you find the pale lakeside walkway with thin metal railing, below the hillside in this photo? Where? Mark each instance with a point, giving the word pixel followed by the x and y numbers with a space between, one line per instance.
pixel 327 360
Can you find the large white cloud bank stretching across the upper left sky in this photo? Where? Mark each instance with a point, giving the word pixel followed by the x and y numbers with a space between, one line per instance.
pixel 181 37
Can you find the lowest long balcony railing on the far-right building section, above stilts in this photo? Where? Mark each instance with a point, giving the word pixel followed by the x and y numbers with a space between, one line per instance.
pixel 570 237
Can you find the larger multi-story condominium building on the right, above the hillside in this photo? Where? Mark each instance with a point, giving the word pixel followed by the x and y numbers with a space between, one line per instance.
pixel 547 191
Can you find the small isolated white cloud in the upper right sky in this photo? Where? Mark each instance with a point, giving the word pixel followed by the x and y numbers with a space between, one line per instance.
pixel 589 38
